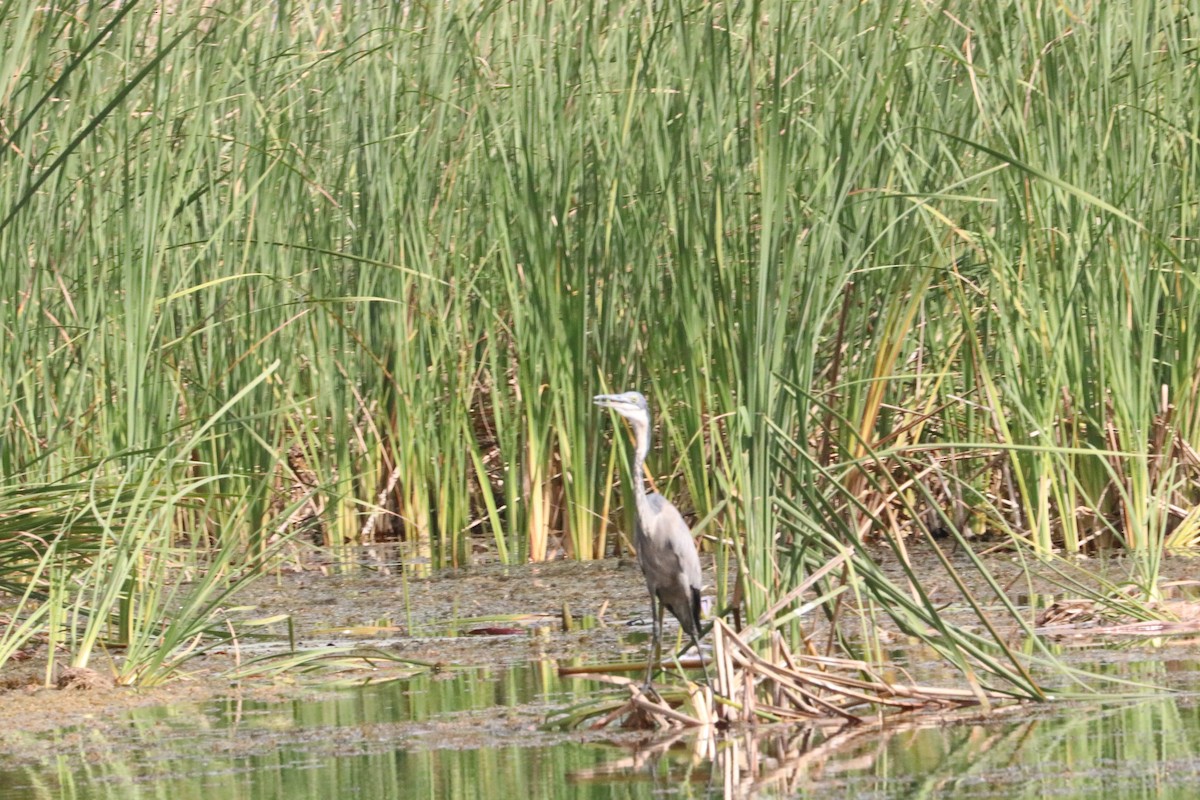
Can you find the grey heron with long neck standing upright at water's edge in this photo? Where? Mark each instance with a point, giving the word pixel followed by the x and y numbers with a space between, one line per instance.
pixel 667 551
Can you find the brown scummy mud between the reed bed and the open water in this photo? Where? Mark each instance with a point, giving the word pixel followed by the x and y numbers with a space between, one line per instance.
pixel 485 615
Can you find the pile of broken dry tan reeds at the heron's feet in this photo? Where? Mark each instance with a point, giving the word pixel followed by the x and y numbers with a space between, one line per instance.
pixel 778 688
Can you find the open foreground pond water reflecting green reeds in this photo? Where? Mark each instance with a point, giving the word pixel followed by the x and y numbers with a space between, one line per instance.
pixel 479 733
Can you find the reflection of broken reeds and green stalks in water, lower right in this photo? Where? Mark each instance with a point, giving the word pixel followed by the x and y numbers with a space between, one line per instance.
pixel 1089 751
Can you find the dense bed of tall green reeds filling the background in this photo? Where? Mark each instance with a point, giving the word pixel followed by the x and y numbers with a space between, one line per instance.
pixel 884 269
